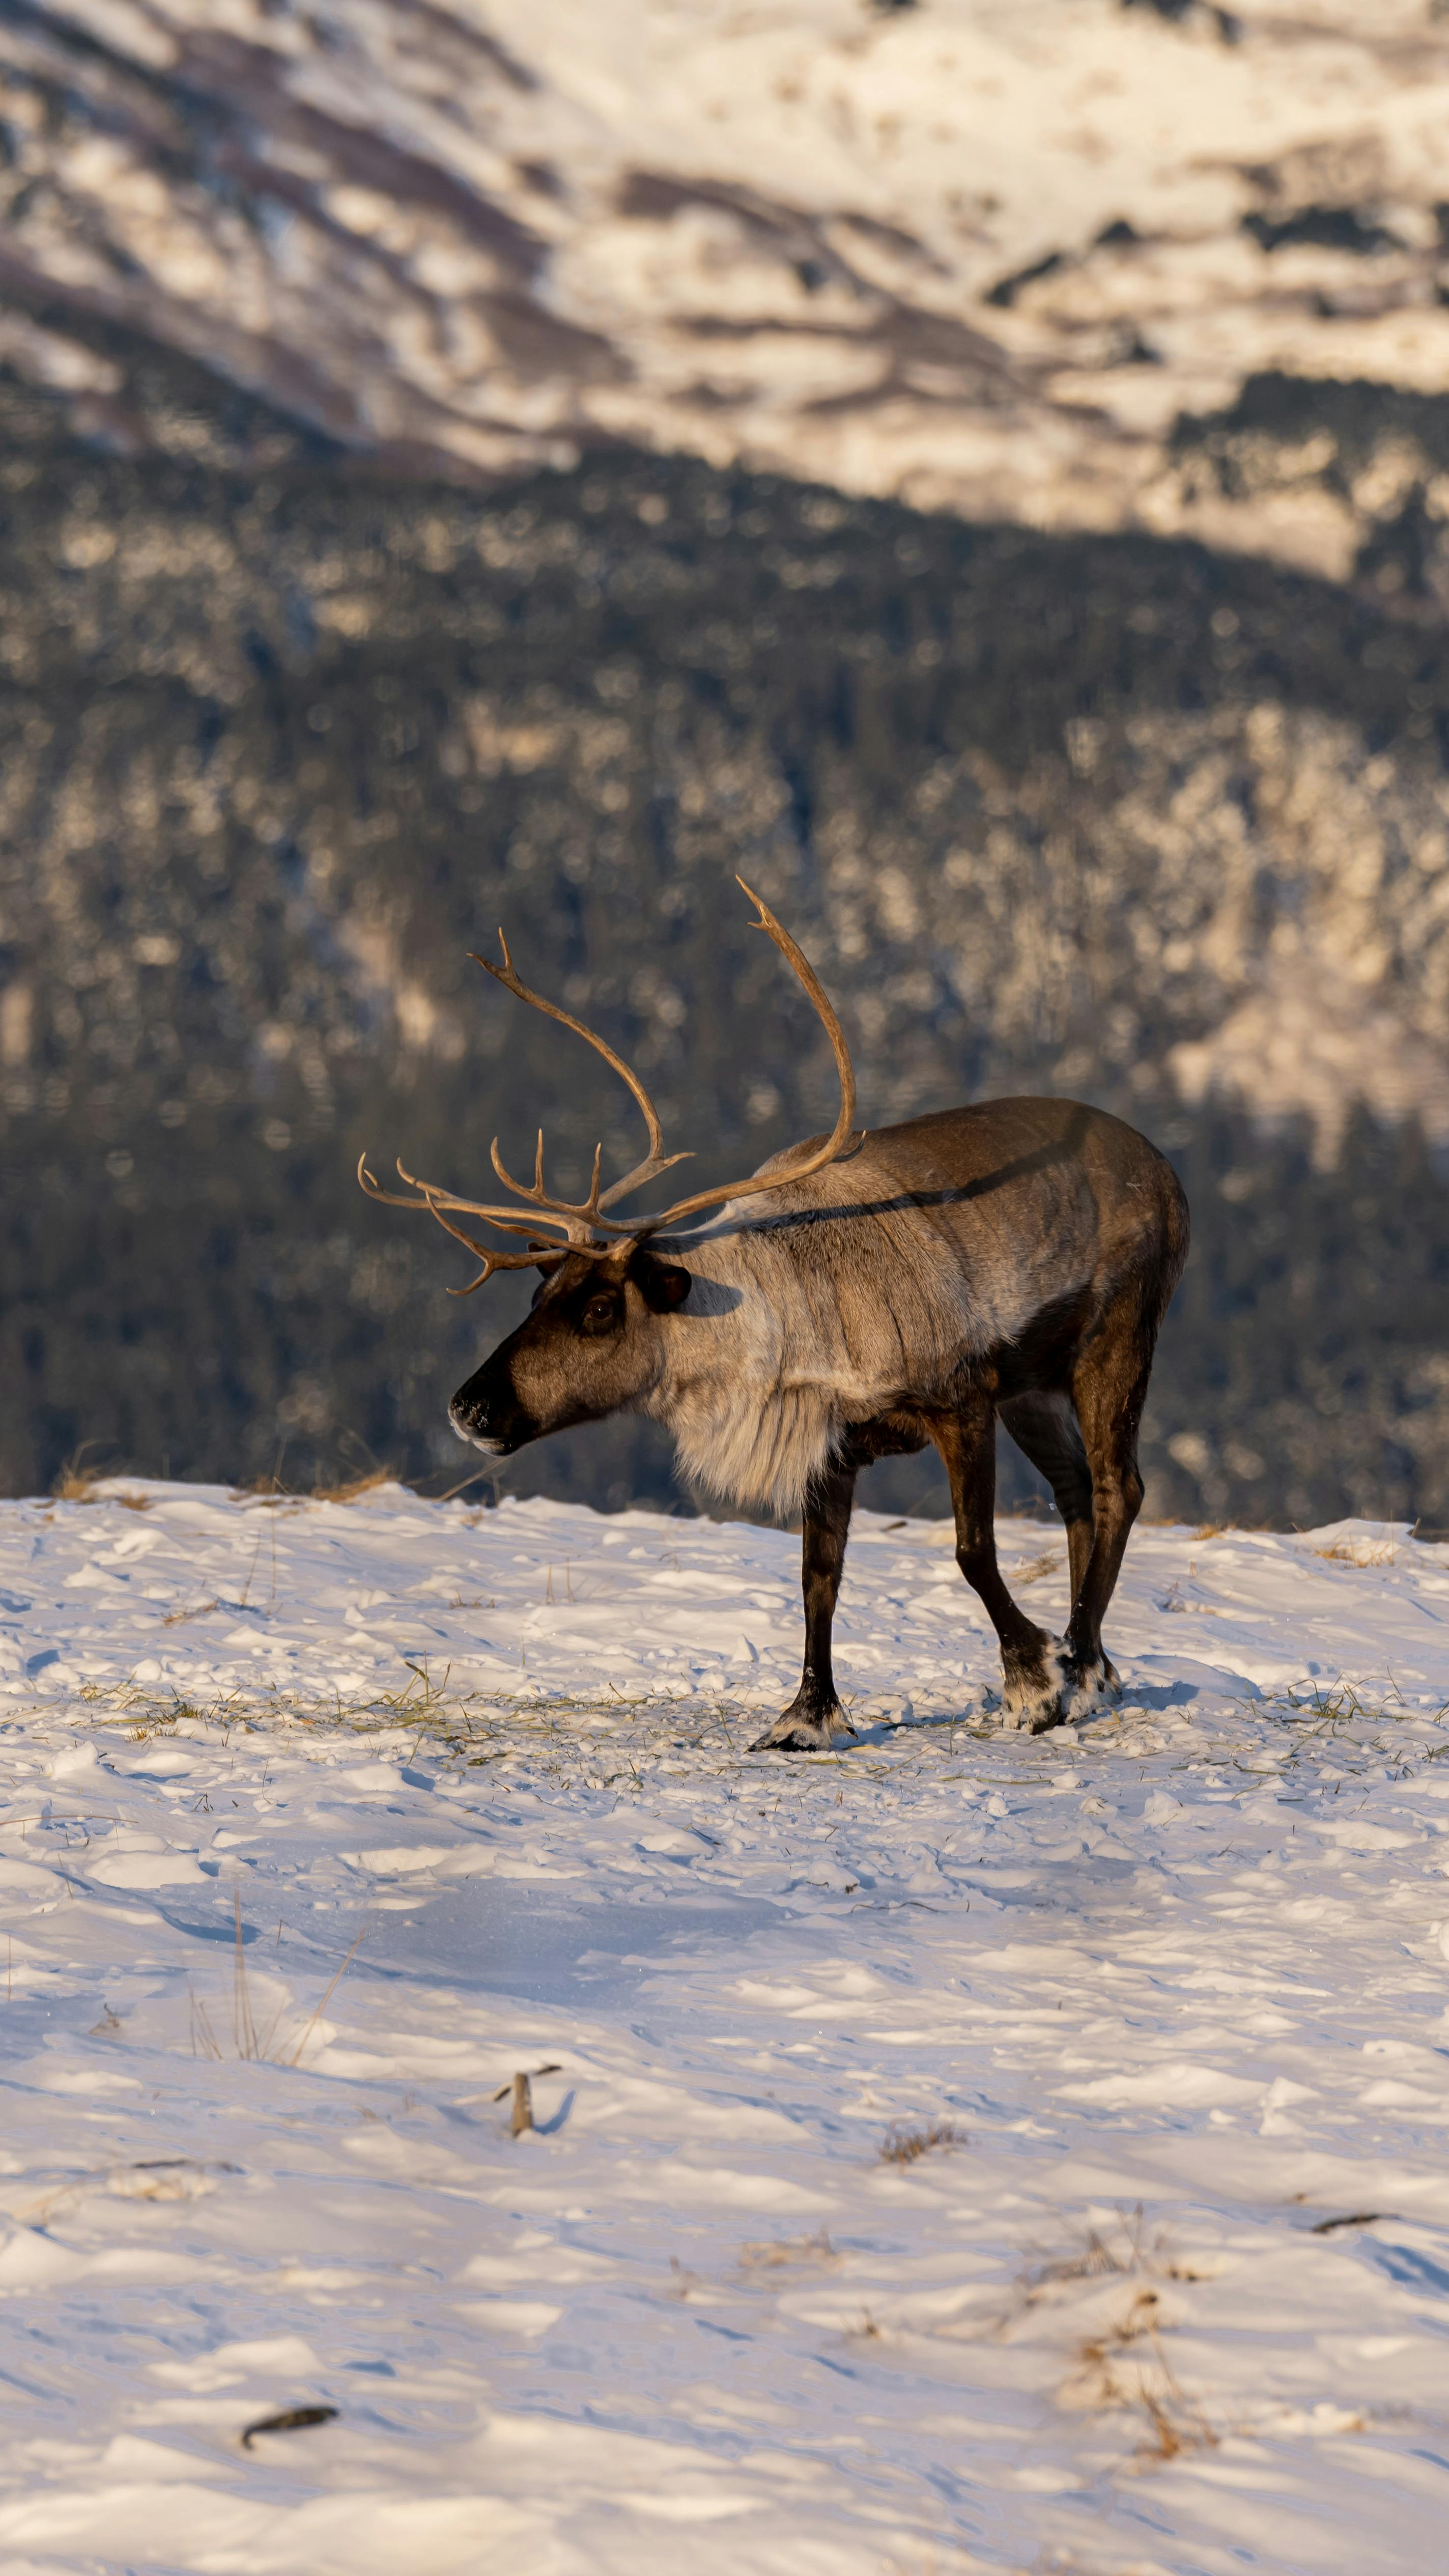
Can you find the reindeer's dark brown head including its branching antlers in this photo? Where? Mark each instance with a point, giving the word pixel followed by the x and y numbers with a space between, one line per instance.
pixel 593 1341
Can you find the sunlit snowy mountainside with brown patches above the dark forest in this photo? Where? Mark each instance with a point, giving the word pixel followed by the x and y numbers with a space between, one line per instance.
pixel 966 254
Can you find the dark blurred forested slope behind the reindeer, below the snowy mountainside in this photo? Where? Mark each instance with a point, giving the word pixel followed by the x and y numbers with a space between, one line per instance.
pixel 284 743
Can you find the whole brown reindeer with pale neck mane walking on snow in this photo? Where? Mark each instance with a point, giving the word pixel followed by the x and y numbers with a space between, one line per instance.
pixel 853 1300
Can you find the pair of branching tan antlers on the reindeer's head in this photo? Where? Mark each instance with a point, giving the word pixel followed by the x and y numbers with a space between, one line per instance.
pixel 583 1222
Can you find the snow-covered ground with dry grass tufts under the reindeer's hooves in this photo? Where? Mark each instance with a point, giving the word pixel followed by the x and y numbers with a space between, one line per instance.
pixel 959 2152
